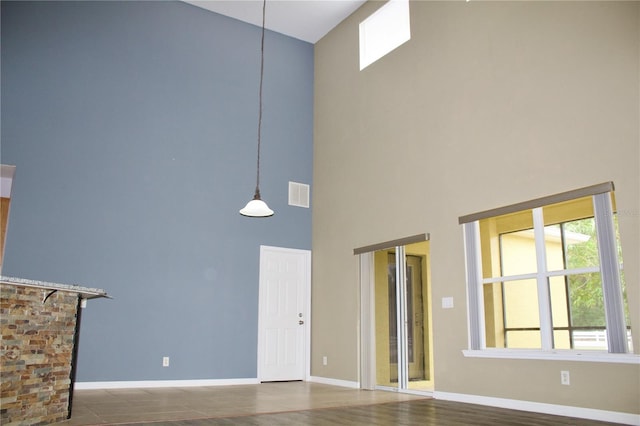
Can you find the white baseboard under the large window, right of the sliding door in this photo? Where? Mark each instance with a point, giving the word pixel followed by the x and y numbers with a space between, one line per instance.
pixel 538 407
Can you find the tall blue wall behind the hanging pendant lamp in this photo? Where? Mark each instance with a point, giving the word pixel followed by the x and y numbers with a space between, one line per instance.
pixel 132 126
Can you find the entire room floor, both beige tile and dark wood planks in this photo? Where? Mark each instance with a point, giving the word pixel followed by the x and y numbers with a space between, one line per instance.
pixel 284 404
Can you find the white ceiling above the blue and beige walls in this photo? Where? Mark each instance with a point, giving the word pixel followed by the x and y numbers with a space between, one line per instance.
pixel 307 20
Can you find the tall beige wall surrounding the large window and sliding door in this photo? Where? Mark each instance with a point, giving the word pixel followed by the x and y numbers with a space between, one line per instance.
pixel 488 104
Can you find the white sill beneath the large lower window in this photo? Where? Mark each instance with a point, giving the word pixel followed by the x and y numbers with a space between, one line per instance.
pixel 556 355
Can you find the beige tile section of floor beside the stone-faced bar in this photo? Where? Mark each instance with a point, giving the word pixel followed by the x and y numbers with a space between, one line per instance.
pixel 113 406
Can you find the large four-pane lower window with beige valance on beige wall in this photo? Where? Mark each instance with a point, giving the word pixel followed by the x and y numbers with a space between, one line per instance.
pixel 547 275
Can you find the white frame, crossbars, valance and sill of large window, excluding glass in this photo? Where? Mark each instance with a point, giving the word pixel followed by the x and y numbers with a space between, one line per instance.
pixel 609 269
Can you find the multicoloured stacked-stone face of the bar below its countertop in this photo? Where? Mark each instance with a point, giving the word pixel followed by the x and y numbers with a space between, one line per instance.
pixel 36 353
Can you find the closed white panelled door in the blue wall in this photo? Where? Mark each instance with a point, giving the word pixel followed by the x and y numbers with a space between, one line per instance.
pixel 283 343
